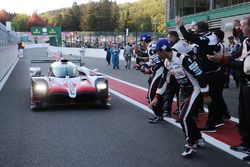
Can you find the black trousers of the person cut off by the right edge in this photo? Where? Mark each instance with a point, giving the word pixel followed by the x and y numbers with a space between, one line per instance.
pixel 244 114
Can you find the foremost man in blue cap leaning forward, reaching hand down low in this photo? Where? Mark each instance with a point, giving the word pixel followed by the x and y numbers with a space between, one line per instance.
pixel 192 82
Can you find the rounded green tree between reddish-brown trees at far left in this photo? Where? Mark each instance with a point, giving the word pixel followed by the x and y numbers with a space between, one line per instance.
pixel 19 22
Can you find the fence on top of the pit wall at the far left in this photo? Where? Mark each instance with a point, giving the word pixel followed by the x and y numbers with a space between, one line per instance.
pixel 7 37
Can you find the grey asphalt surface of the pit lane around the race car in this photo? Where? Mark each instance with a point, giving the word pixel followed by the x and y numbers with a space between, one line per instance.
pixel 89 136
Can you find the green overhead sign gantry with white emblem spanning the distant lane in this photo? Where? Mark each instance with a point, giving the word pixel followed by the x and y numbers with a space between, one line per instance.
pixel 53 32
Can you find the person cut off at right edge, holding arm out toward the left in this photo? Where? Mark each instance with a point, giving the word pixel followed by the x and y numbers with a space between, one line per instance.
pixel 243 66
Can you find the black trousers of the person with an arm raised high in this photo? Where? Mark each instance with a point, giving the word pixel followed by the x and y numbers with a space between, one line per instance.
pixel 217 108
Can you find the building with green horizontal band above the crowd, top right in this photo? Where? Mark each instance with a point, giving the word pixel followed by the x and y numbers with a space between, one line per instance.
pixel 219 13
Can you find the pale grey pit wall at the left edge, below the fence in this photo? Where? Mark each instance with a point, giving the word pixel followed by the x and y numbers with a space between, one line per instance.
pixel 8 57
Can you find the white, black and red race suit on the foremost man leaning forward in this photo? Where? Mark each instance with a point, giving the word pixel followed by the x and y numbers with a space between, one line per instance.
pixel 192 83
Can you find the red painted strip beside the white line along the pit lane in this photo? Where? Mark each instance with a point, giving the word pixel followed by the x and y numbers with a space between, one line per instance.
pixel 227 134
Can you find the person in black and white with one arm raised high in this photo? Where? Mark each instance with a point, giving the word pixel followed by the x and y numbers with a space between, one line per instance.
pixel 207 42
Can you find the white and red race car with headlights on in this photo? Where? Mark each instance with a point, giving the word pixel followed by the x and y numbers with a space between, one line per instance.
pixel 67 83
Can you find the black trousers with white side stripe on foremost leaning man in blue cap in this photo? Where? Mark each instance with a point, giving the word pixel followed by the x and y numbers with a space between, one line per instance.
pixel 191 99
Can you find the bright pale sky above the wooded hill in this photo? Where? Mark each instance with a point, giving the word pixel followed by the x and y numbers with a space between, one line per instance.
pixel 29 6
